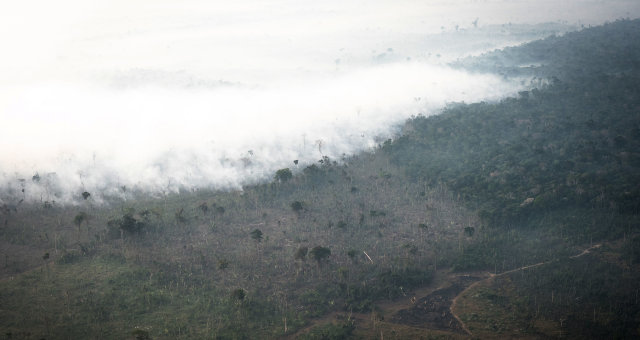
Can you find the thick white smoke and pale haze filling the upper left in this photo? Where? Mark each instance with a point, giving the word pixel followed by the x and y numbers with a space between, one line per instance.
pixel 161 95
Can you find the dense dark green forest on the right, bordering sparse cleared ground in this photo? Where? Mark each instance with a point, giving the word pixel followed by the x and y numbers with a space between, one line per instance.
pixel 563 157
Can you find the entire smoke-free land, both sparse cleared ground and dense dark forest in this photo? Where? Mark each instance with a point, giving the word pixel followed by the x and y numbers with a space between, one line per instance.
pixel 511 219
